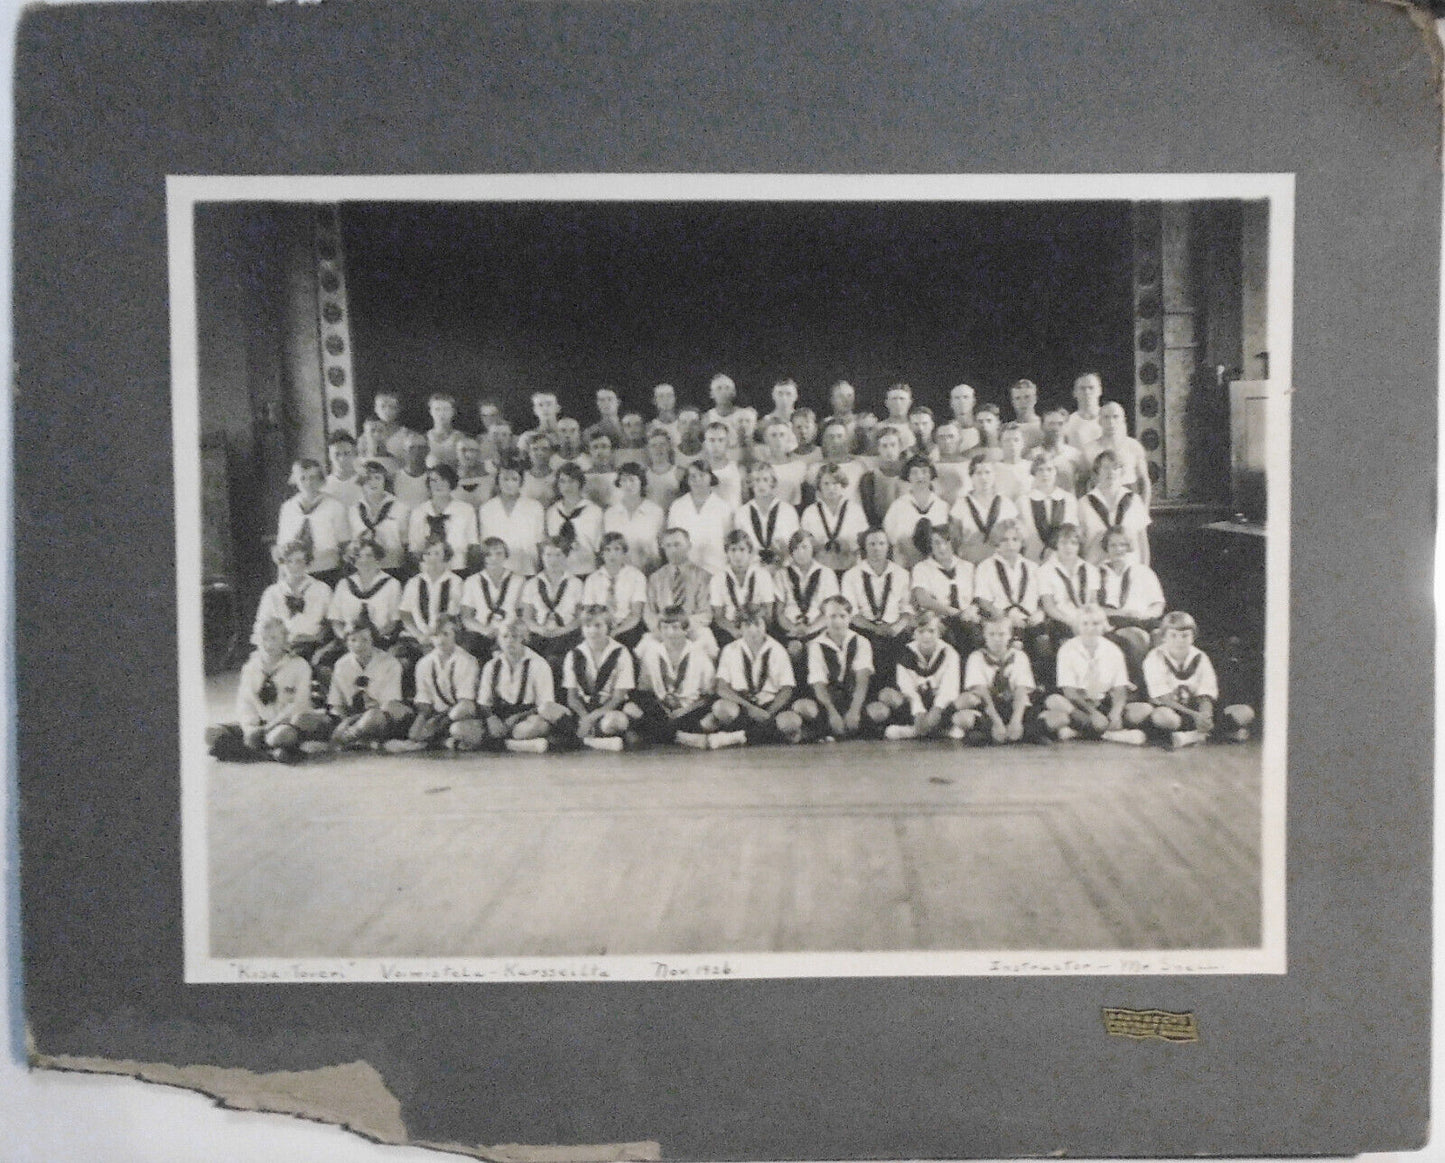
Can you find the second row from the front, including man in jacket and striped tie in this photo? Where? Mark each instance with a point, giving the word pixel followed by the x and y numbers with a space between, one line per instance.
pixel 1041 602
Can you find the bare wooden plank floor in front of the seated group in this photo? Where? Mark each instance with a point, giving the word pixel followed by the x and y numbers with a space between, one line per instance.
pixel 855 847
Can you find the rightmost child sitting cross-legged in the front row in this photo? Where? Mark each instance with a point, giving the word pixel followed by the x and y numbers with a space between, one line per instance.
pixel 1183 688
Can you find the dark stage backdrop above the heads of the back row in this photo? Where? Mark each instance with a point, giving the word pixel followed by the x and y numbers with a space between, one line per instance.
pixel 511 298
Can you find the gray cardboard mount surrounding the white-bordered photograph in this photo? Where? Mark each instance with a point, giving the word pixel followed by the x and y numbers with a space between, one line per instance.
pixel 1330 1058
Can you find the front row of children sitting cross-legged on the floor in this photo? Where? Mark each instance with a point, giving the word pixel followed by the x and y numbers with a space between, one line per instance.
pixel 671 691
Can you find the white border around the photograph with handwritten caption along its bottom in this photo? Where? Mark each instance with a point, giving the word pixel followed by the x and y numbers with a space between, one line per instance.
pixel 183 194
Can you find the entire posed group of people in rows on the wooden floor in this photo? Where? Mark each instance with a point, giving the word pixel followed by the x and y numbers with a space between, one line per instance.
pixel 717 577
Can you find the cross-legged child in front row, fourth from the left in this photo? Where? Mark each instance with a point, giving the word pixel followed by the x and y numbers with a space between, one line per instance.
pixel 515 699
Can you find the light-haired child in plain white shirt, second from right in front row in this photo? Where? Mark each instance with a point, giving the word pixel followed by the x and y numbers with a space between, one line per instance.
pixel 1093 687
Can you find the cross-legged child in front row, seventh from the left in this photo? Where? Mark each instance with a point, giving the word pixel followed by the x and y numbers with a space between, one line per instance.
pixel 755 687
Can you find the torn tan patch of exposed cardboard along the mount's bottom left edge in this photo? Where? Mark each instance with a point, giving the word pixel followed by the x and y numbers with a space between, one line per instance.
pixel 350 1096
